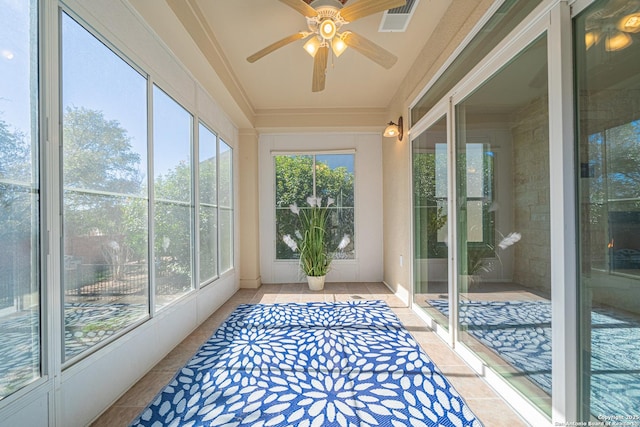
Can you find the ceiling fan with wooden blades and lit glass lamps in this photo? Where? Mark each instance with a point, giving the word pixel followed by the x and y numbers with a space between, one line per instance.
pixel 325 19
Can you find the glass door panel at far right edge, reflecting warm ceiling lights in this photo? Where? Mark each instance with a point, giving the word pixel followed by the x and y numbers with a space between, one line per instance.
pixel 607 38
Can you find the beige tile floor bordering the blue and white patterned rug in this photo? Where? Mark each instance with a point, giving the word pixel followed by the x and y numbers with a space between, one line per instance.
pixel 489 408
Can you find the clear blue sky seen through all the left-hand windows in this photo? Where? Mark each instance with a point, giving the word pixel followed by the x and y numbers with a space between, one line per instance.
pixel 95 78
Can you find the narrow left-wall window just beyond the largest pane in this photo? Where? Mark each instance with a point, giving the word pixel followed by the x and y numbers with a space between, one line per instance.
pixel 172 226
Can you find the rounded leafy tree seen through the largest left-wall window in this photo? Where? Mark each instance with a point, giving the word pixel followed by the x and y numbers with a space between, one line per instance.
pixel 98 157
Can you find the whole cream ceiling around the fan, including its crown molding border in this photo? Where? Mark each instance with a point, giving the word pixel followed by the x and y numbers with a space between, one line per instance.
pixel 228 31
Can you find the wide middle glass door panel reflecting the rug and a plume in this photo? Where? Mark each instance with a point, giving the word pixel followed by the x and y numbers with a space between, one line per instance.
pixel 503 231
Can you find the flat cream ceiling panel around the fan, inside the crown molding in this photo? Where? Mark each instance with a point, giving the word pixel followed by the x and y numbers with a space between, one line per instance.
pixel 282 79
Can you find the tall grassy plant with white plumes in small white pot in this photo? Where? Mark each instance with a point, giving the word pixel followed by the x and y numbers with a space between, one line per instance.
pixel 311 241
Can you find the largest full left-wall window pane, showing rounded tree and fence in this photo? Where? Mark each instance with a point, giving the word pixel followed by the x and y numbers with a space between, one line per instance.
pixel 104 191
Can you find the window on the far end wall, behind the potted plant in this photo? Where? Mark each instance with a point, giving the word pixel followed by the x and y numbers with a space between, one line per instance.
pixel 320 175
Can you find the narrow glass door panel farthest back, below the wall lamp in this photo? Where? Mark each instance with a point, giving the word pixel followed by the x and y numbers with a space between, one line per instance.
pixel 430 276
